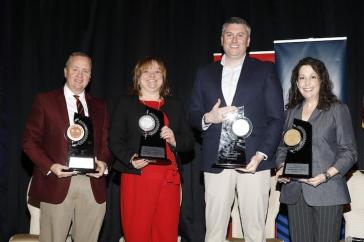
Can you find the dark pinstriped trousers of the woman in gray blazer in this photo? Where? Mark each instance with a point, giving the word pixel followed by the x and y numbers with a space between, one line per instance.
pixel 314 223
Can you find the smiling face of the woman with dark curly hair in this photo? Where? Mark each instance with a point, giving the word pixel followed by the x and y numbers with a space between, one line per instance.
pixel 308 83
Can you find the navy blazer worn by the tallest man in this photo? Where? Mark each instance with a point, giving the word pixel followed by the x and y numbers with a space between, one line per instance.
pixel 259 91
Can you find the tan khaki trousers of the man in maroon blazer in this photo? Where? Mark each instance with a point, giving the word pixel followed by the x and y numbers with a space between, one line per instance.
pixel 79 209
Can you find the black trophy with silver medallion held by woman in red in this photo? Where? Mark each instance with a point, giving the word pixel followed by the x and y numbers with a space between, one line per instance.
pixel 152 146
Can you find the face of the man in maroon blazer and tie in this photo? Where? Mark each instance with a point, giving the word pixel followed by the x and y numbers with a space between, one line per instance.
pixel 77 73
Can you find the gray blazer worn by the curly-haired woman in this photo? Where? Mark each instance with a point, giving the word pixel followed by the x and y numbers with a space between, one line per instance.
pixel 333 144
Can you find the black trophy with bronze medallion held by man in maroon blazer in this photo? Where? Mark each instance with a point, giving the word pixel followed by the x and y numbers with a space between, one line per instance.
pixel 81 157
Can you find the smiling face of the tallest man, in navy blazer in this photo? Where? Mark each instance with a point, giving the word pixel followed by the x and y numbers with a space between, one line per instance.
pixel 235 40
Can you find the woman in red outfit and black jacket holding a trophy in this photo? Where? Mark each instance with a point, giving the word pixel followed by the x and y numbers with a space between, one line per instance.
pixel 150 189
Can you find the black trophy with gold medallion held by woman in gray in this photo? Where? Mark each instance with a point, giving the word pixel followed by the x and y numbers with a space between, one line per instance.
pixel 298 140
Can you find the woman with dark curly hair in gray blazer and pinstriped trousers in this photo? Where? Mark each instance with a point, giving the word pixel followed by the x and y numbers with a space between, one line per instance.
pixel 315 205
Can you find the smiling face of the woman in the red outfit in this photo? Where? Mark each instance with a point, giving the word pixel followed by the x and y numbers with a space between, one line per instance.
pixel 151 79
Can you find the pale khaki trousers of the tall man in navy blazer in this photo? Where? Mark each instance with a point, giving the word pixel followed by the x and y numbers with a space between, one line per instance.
pixel 253 196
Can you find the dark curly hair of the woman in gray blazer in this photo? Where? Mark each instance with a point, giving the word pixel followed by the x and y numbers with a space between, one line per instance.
pixel 326 96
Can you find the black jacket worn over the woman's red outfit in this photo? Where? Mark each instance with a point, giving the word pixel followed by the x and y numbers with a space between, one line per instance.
pixel 124 135
